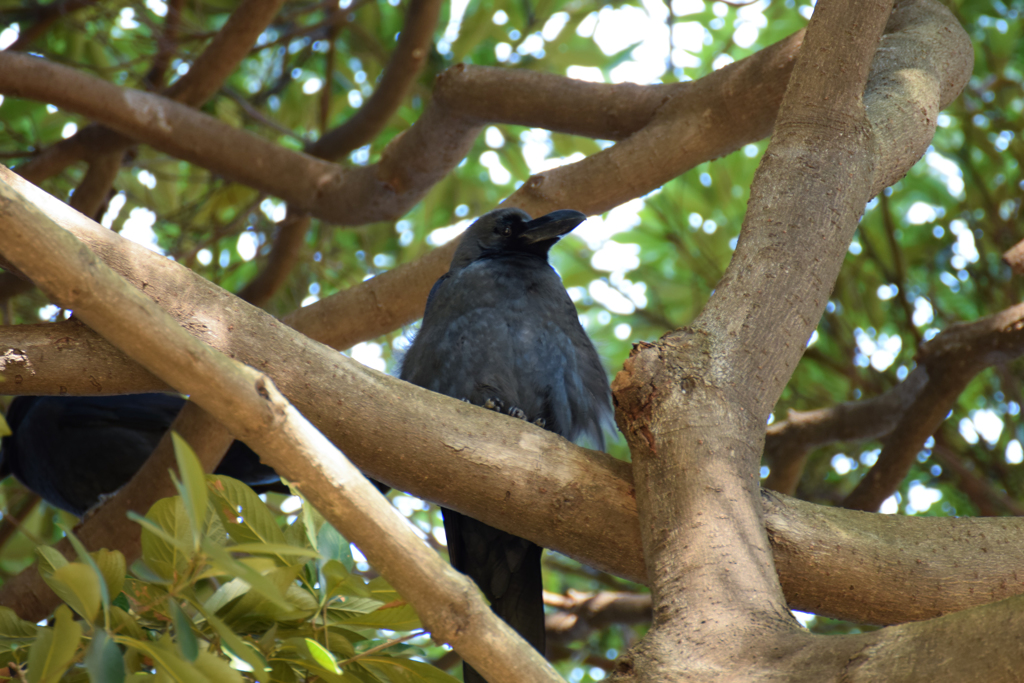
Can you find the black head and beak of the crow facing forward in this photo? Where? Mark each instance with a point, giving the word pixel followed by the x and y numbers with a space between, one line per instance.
pixel 513 231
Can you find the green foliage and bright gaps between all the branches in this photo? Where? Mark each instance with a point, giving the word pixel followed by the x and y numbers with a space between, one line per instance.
pixel 928 255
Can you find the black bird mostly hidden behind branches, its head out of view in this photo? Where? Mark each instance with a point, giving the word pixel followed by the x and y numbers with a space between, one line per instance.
pixel 73 450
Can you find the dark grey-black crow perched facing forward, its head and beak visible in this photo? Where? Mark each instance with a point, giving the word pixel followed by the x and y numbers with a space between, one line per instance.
pixel 500 331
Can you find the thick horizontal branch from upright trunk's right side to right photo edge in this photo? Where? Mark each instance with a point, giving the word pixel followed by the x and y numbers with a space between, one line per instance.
pixel 900 569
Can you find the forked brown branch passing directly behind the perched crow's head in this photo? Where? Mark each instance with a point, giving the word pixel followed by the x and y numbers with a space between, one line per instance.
pixel 397 298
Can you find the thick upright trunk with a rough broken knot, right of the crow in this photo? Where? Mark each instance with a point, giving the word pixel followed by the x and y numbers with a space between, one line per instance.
pixel 694 406
